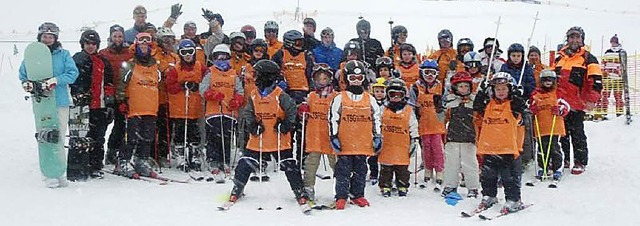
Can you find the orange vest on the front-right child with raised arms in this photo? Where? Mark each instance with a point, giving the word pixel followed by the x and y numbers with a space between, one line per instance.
pixel 499 134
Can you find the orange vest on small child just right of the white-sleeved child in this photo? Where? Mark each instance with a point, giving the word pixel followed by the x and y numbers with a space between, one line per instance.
pixel 395 130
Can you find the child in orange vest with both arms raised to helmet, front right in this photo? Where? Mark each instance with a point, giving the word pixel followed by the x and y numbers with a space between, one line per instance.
pixel 501 108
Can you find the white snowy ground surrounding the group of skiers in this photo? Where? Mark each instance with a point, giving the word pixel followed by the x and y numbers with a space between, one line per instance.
pixel 604 195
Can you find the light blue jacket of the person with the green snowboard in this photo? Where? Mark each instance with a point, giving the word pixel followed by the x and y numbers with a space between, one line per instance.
pixel 64 70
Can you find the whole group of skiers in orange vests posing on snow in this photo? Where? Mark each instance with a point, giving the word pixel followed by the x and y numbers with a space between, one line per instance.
pixel 472 114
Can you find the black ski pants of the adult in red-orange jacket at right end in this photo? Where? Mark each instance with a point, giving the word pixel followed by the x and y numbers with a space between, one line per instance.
pixel 574 125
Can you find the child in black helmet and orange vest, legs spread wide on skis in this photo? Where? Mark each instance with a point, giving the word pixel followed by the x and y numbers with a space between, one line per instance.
pixel 270 116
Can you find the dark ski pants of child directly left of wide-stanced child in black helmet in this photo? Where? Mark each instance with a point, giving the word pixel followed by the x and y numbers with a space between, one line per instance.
pixel 219 129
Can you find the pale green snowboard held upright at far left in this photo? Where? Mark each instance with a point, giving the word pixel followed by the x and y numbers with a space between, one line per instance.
pixel 38 63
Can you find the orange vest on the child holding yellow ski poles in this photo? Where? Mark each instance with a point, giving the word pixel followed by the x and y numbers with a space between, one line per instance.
pixel 544 117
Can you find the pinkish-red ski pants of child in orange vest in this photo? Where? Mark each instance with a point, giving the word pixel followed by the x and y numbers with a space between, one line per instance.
pixel 432 152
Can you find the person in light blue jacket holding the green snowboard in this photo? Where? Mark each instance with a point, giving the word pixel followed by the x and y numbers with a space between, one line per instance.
pixel 65 72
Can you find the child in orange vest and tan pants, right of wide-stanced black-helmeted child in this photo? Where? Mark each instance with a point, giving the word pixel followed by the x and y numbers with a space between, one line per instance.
pixel 315 111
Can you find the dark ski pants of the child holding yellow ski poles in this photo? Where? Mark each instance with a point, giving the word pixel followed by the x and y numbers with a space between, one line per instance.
pixel 549 154
